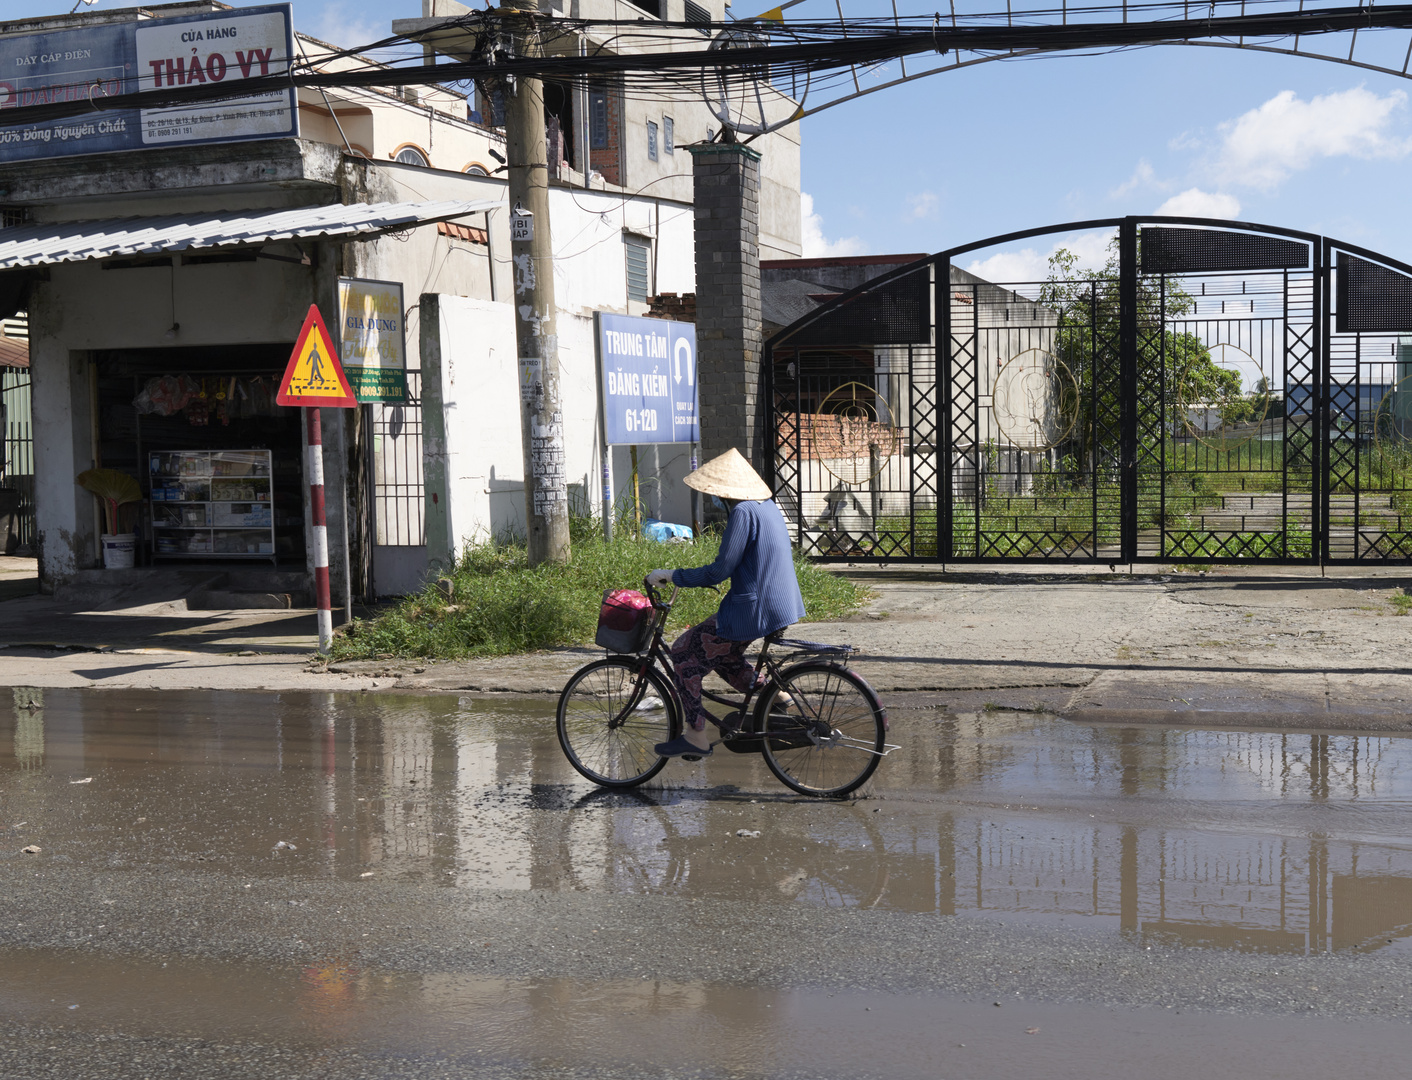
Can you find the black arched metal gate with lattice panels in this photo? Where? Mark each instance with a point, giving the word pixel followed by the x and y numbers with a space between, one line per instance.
pixel 1221 392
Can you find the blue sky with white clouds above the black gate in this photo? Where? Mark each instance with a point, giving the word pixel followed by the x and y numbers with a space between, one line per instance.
pixel 1009 146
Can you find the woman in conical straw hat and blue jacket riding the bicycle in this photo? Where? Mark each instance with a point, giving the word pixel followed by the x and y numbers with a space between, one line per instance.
pixel 765 594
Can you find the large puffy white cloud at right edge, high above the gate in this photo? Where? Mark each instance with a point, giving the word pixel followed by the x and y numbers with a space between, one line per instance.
pixel 1286 135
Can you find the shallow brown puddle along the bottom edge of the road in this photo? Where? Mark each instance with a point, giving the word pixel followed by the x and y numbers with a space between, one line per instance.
pixel 653 1026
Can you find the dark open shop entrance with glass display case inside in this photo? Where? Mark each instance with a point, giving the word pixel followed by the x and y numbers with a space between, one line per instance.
pixel 220 464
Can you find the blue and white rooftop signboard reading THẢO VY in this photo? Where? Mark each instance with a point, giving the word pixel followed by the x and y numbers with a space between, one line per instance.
pixel 104 61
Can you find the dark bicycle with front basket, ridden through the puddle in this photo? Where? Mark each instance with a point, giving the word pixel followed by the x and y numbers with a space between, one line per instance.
pixel 818 725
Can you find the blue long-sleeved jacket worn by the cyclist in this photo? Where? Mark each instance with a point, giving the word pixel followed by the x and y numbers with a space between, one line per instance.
pixel 756 557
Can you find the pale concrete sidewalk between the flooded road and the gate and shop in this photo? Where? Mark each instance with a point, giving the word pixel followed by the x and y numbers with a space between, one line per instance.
pixel 1236 647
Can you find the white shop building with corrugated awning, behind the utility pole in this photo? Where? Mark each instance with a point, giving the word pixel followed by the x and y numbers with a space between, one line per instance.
pixel 166 286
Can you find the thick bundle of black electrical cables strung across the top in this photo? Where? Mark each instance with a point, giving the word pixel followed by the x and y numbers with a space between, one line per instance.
pixel 647 59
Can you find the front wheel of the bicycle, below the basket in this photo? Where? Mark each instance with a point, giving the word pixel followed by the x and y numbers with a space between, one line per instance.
pixel 611 716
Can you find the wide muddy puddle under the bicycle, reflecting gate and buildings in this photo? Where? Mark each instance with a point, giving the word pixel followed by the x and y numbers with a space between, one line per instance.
pixel 1253 841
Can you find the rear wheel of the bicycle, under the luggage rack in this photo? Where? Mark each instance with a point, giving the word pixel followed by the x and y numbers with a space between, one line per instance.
pixel 824 729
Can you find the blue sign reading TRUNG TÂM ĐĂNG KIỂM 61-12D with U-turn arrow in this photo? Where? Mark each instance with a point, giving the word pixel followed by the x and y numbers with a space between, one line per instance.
pixel 649 380
